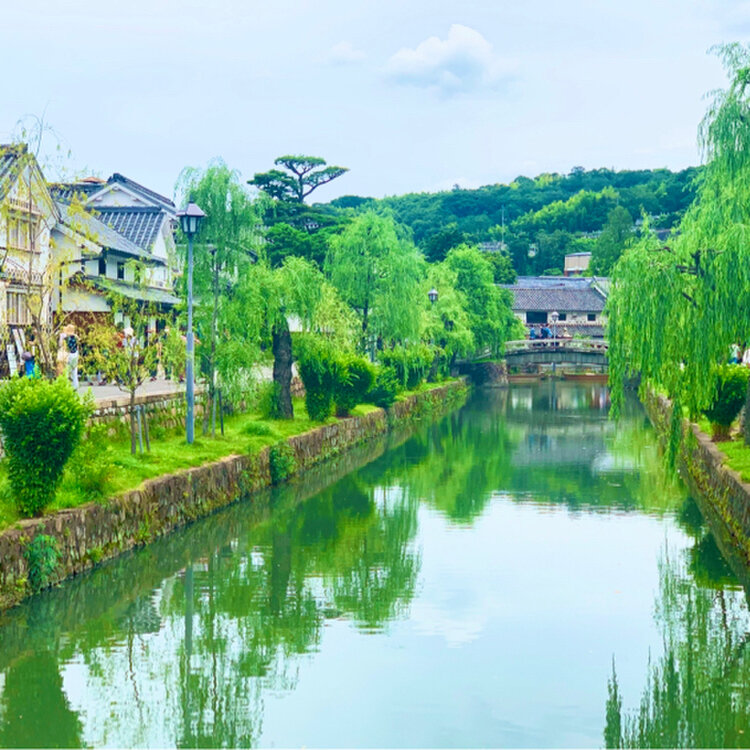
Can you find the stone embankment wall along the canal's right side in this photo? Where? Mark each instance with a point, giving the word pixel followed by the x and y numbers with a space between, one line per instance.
pixel 720 489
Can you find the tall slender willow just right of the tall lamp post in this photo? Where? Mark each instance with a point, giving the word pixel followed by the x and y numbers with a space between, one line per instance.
pixel 227 245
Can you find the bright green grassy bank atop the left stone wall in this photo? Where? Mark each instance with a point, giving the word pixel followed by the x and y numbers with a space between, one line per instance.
pixel 103 466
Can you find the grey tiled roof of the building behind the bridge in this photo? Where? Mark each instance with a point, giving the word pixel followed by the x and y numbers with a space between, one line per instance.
pixel 556 293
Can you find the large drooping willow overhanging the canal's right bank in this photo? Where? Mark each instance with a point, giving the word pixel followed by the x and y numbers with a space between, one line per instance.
pixel 674 311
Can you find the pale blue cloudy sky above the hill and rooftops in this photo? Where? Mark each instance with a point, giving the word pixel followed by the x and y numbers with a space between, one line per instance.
pixel 410 95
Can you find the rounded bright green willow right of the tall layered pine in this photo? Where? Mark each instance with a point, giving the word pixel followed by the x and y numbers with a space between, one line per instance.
pixel 378 272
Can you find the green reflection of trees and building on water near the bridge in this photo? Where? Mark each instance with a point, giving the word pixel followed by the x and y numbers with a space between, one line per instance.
pixel 551 443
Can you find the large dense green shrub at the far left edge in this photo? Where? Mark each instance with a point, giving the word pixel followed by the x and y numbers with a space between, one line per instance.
pixel 42 423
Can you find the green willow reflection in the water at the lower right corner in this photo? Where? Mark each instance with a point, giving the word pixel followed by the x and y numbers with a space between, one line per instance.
pixel 698 691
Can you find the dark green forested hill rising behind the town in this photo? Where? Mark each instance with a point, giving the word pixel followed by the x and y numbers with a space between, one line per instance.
pixel 540 220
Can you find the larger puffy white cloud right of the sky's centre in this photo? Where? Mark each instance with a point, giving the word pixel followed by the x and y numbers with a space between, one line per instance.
pixel 465 61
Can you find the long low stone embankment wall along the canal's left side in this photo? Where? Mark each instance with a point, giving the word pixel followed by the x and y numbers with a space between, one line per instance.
pixel 84 536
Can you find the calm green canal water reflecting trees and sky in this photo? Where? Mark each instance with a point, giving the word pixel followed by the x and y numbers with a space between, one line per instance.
pixel 522 573
